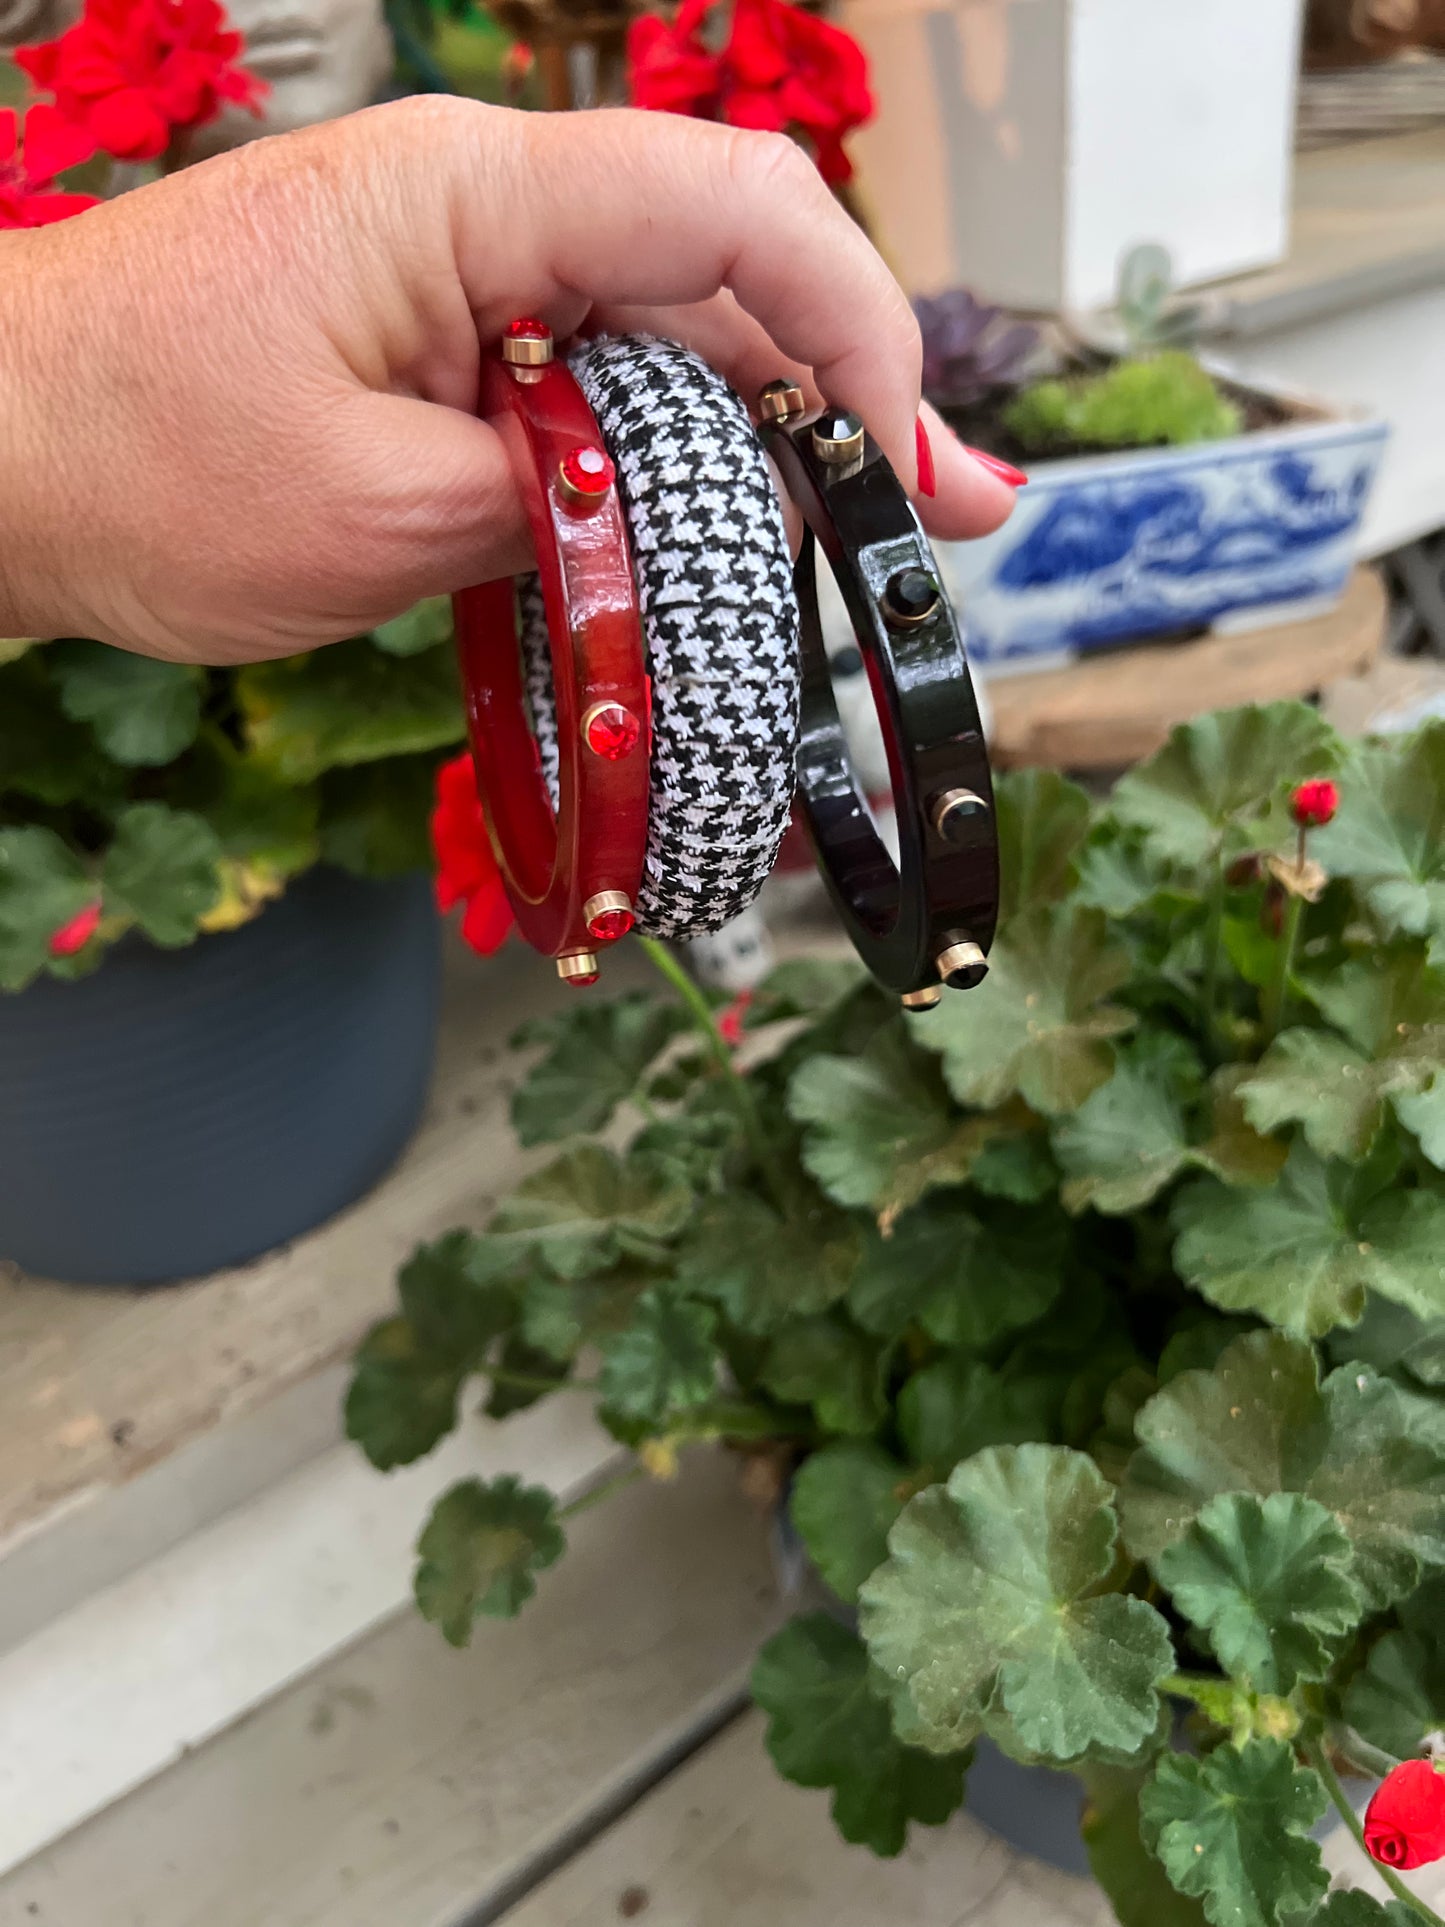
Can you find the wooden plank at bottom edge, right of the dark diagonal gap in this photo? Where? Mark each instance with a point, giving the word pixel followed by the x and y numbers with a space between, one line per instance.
pixel 723 1843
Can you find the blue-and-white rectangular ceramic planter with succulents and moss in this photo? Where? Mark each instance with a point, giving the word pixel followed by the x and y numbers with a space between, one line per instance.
pixel 1163 496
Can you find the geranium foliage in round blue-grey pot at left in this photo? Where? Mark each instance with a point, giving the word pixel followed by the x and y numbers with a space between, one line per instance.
pixel 219 943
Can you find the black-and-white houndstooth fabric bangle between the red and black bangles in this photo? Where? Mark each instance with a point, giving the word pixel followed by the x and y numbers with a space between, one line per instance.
pixel 720 623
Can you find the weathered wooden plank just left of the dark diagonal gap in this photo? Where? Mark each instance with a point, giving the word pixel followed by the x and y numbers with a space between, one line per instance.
pixel 407 1785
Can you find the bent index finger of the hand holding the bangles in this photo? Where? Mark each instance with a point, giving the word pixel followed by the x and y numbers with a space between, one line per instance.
pixel 644 209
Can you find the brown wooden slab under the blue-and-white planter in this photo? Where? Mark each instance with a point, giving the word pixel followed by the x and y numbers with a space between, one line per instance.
pixel 1105 712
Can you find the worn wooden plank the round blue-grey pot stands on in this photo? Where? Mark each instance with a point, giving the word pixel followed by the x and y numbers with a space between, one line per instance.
pixel 95 1386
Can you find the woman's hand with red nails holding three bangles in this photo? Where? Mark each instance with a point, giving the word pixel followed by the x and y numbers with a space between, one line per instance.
pixel 236 406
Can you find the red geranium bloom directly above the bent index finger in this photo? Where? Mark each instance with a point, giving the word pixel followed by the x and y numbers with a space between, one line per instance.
pixel 781 70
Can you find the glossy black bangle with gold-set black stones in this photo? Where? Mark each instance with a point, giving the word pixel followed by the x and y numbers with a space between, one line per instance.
pixel 928 920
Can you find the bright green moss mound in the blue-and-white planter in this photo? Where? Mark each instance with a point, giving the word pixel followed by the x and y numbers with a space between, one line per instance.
pixel 1132 406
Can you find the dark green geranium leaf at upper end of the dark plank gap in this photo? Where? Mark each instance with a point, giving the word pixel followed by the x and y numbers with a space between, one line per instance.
pixel 829 1728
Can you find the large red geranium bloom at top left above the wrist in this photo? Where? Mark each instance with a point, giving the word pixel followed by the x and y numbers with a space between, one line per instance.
pixel 136 70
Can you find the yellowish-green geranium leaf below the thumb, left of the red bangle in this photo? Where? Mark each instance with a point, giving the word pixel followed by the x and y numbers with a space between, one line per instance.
pixel 350 704
